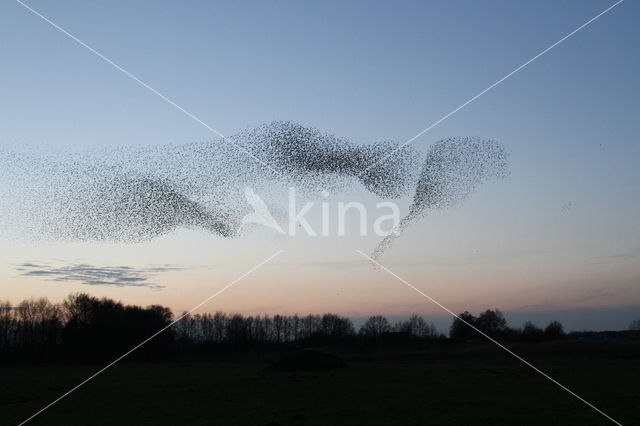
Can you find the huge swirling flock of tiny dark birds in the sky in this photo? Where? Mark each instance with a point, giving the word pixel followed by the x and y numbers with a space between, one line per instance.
pixel 135 194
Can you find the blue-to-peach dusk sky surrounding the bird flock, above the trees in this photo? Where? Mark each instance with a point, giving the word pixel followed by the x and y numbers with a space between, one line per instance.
pixel 560 238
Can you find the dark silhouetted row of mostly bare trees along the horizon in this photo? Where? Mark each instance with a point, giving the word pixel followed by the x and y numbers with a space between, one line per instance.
pixel 83 328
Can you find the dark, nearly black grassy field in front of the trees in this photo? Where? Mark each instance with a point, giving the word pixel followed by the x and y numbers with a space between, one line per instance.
pixel 493 391
